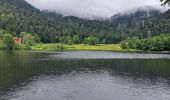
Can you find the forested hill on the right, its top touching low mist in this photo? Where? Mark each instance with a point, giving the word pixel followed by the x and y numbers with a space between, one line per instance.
pixel 142 24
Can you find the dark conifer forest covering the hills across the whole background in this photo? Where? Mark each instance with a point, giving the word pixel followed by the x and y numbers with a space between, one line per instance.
pixel 18 16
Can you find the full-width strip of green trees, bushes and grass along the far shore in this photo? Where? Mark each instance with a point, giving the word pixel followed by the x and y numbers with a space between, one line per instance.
pixel 30 41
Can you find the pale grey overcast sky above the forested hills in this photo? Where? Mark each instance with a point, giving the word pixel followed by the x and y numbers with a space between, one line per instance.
pixel 89 8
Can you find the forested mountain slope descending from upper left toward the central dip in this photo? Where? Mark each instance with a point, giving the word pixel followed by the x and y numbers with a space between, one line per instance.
pixel 18 15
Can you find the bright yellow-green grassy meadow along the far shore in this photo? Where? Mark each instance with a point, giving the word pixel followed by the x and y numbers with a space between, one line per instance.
pixel 100 47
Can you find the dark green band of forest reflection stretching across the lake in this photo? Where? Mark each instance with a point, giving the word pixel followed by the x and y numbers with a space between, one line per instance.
pixel 15 68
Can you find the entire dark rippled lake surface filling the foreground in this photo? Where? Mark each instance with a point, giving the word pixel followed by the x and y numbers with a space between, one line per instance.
pixel 84 76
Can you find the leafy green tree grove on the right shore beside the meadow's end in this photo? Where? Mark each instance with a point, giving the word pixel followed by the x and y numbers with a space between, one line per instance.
pixel 157 43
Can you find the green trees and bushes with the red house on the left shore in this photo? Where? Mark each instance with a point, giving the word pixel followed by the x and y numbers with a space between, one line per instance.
pixel 22 42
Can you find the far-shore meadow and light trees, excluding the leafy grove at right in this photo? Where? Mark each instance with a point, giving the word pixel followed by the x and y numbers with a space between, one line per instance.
pixel 30 41
